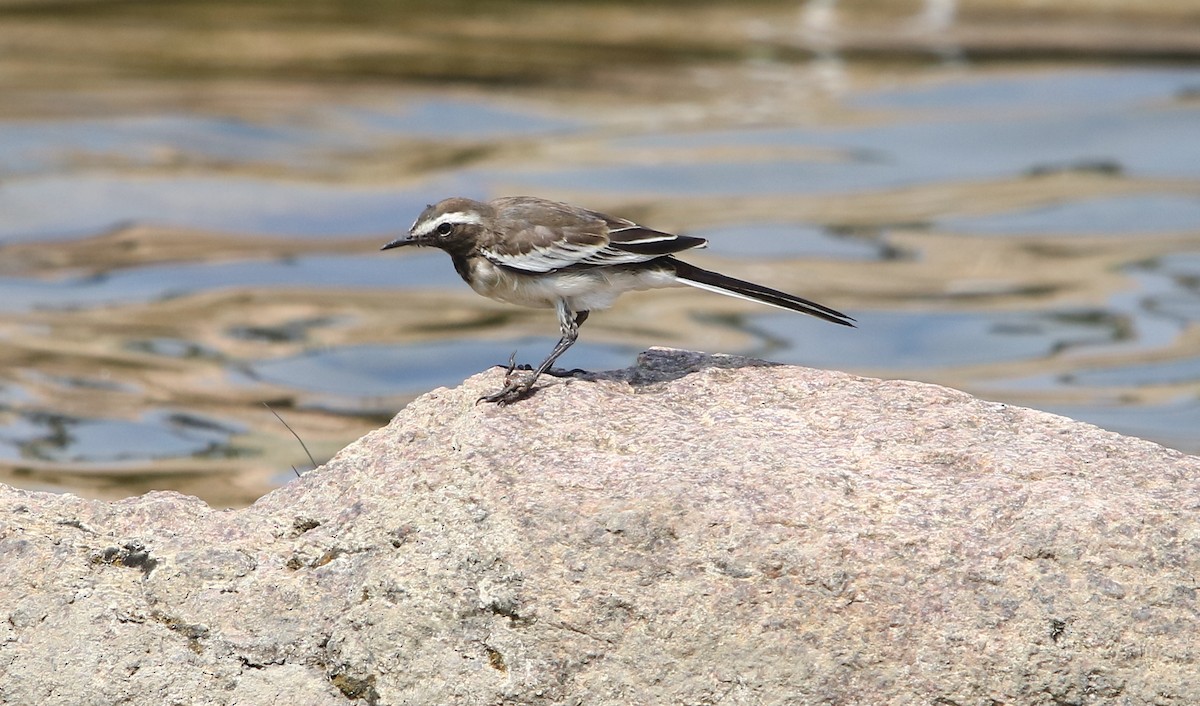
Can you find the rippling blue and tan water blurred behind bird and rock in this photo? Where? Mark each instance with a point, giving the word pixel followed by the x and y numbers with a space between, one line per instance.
pixel 1005 194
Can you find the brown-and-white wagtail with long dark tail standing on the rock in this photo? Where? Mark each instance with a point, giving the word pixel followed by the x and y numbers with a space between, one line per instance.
pixel 545 254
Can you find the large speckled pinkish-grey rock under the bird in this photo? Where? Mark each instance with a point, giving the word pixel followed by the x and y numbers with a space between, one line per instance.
pixel 694 530
